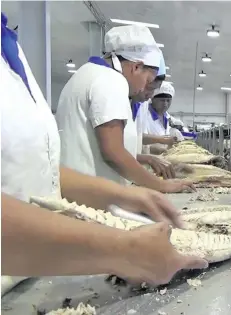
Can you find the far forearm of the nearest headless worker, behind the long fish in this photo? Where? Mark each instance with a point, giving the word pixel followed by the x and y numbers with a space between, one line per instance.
pixel 94 192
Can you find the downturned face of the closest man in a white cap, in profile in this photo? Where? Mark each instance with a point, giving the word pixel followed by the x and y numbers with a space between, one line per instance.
pixel 138 77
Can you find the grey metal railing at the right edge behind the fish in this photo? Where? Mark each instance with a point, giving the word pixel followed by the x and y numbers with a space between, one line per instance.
pixel 217 140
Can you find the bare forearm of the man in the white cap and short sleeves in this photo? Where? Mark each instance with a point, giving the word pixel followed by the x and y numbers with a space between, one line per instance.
pixel 128 167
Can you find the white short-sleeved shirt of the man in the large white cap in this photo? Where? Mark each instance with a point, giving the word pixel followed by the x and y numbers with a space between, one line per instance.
pixel 93 96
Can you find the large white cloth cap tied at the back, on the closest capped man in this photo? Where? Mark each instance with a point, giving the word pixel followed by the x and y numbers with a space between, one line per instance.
pixel 134 43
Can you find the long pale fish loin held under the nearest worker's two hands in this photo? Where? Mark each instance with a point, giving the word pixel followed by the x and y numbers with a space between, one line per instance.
pixel 212 247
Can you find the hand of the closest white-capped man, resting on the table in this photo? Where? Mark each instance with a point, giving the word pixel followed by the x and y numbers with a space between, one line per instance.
pixel 177 185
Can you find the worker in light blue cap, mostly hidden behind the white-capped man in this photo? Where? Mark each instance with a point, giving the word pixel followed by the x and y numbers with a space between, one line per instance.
pixel 140 105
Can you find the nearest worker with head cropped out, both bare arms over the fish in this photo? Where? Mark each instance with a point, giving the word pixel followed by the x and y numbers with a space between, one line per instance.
pixel 37 242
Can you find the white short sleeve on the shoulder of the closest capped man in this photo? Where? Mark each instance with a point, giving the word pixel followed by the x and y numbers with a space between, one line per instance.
pixel 109 100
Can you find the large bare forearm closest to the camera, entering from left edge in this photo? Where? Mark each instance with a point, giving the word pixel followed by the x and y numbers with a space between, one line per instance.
pixel 37 242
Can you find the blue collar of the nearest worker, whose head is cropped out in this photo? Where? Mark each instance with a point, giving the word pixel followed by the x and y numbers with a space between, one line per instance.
pixel 10 52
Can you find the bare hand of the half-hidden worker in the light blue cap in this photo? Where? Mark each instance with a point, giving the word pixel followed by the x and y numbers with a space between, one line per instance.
pixel 161 167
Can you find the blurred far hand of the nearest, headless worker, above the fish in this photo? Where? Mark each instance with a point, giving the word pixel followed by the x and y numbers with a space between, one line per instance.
pixel 152 203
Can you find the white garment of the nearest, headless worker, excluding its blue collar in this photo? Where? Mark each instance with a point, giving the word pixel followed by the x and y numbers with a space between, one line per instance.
pixel 30 143
